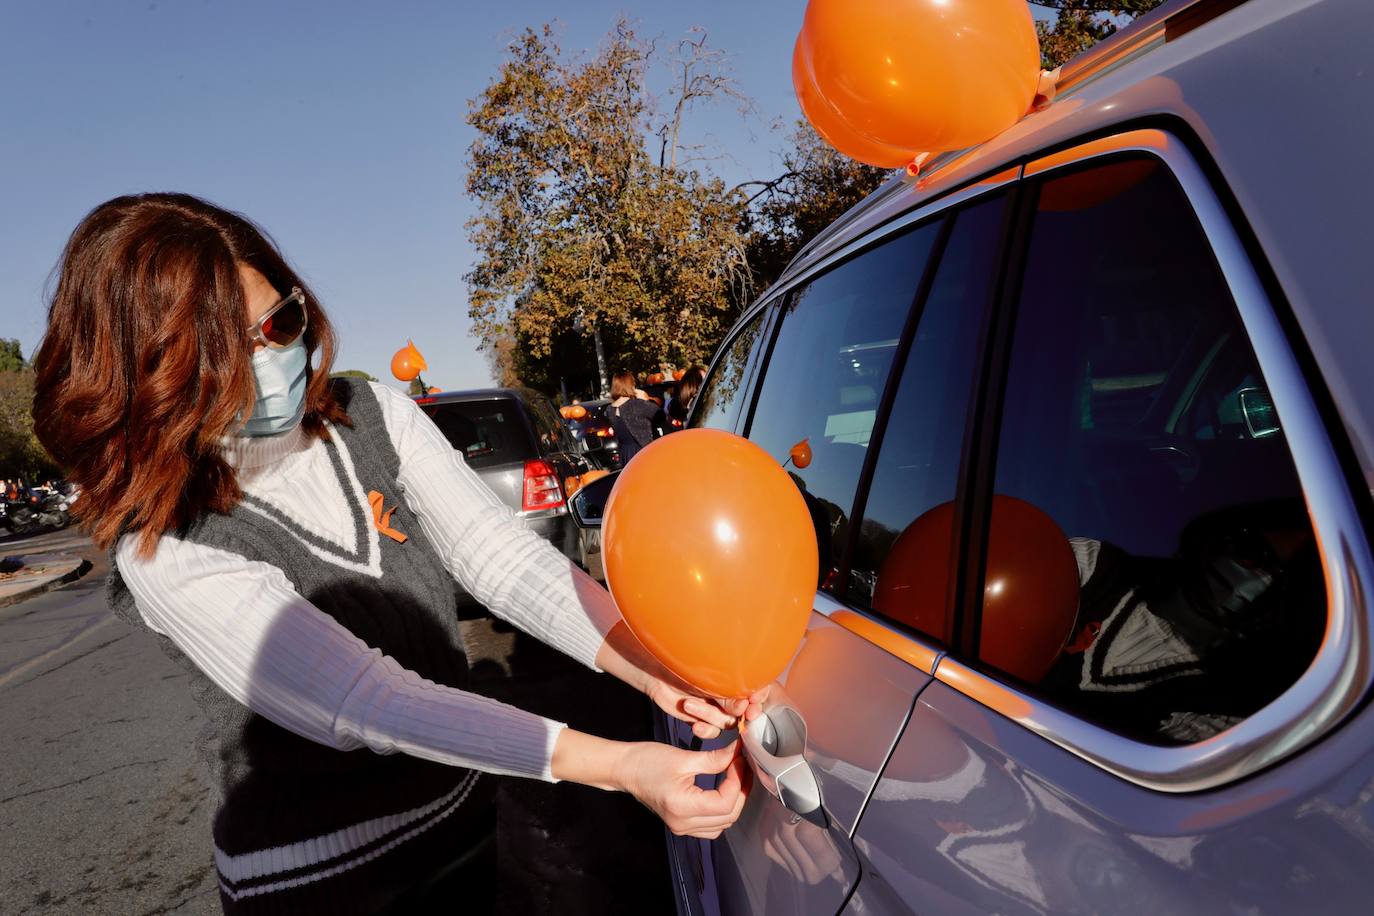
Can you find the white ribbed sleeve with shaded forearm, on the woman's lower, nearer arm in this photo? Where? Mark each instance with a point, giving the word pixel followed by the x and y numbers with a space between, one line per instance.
pixel 243 624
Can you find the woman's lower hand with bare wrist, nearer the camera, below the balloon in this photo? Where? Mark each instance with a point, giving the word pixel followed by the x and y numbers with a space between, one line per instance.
pixel 663 778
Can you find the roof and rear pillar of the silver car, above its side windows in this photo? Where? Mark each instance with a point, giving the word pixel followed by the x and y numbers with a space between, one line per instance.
pixel 1273 97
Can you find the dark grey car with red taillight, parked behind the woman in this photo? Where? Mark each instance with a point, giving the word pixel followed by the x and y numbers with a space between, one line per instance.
pixel 521 450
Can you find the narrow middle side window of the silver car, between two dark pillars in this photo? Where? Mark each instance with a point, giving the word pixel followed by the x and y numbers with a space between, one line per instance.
pixel 917 470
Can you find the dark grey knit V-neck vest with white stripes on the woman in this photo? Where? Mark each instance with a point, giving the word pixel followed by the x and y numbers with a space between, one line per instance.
pixel 300 825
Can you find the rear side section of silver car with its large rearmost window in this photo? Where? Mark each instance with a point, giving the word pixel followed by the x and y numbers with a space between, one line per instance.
pixel 1153 483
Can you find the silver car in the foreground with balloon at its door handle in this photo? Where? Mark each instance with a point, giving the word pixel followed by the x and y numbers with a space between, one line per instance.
pixel 1138 315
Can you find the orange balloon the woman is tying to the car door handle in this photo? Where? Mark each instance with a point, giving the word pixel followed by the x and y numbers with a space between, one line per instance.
pixel 725 604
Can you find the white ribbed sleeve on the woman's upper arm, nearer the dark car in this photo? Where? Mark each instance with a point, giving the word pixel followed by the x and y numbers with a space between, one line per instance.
pixel 510 569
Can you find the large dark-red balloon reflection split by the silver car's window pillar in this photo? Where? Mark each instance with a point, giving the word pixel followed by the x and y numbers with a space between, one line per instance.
pixel 1031 587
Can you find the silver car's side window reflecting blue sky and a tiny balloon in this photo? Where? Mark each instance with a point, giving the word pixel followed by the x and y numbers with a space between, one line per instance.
pixel 826 374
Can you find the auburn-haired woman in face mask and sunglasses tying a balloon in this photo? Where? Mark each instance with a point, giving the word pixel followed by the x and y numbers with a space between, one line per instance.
pixel 293 542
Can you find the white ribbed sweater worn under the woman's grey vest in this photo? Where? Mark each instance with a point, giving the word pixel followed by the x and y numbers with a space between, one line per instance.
pixel 315 678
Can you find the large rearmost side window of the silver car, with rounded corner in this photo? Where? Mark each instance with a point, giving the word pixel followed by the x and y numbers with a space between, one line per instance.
pixel 1149 561
